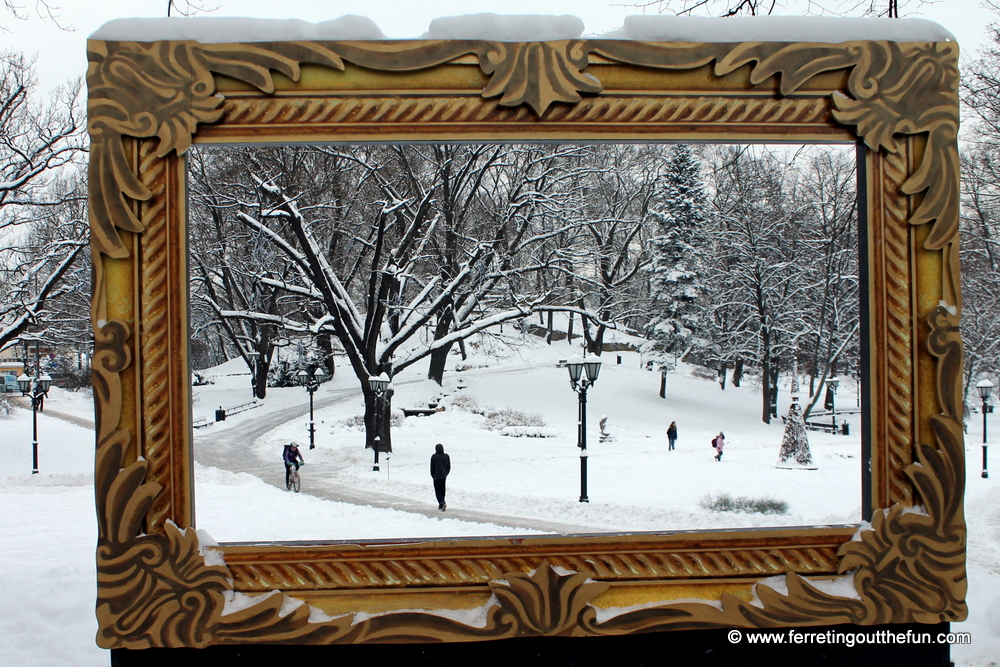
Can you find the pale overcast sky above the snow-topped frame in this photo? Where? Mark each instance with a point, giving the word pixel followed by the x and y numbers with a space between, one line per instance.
pixel 62 54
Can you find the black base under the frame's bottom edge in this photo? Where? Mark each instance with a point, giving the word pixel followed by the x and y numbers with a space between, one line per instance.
pixel 704 648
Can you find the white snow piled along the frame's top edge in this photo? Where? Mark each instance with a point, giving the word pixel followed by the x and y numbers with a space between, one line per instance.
pixel 532 28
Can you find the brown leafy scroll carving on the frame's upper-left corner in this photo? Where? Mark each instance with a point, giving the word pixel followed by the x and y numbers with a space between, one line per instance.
pixel 164 90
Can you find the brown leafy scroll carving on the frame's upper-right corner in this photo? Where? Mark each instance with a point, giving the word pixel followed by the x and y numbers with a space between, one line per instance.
pixel 894 90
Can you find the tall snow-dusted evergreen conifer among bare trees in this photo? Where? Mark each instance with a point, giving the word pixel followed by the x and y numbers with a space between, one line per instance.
pixel 676 281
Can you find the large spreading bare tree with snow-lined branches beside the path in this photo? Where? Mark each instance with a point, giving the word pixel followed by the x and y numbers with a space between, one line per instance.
pixel 373 245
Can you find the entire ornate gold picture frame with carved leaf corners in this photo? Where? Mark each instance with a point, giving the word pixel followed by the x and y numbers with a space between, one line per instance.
pixel 160 584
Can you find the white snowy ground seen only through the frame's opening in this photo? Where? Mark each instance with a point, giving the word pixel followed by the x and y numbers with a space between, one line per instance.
pixel 634 483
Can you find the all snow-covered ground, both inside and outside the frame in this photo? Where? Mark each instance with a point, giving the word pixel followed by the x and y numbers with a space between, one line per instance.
pixel 47 589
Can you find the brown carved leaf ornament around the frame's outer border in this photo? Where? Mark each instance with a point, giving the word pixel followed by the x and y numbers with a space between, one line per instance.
pixel 158 589
